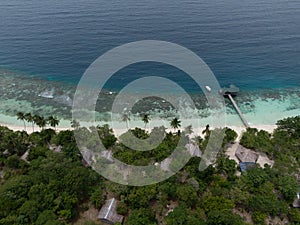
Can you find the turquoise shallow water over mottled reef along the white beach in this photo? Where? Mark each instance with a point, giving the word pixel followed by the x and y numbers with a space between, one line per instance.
pixel 20 92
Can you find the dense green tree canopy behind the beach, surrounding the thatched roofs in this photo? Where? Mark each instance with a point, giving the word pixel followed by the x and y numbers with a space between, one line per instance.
pixel 53 185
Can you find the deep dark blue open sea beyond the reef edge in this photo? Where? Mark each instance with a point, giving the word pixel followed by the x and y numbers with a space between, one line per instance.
pixel 254 44
